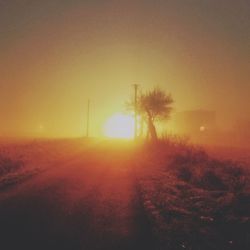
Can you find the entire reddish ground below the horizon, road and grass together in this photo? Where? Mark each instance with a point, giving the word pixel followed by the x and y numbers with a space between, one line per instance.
pixel 116 195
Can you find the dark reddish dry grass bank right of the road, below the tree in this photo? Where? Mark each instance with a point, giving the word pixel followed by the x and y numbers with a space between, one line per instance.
pixel 193 200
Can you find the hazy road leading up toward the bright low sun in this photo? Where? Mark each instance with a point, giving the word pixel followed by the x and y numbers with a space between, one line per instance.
pixel 88 201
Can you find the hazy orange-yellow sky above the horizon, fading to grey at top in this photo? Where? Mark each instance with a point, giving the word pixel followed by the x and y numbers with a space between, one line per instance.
pixel 57 54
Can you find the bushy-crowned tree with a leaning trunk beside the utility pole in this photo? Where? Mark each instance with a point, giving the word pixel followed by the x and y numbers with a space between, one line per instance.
pixel 156 105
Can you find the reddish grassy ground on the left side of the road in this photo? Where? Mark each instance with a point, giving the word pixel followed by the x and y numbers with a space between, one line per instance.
pixel 21 160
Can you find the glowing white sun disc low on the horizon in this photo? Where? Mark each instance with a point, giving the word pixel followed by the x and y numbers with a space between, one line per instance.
pixel 119 126
